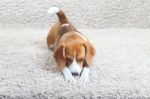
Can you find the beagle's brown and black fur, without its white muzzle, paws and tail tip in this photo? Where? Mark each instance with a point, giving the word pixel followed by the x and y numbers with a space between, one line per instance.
pixel 67 44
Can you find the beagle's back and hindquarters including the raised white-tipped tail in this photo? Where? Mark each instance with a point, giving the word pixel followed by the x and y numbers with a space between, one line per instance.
pixel 60 28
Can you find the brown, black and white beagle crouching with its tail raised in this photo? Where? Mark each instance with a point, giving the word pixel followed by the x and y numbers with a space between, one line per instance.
pixel 72 51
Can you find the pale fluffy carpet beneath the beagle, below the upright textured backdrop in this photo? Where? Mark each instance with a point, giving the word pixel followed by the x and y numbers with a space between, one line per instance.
pixel 121 67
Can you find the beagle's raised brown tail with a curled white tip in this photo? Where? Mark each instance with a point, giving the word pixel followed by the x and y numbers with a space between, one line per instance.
pixel 61 15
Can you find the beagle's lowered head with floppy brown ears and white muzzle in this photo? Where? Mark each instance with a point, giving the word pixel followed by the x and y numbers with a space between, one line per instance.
pixel 74 55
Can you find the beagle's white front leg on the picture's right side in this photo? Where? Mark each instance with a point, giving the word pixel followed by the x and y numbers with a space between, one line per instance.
pixel 85 75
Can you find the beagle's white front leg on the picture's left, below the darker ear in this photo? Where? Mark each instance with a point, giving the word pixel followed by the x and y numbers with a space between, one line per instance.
pixel 68 75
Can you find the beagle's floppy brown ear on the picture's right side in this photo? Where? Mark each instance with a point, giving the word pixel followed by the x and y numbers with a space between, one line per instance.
pixel 90 52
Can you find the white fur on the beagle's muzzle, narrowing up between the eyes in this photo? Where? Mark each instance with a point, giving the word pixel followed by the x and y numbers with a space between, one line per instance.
pixel 75 67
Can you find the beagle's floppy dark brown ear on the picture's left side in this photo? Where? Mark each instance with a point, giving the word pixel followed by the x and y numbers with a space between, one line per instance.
pixel 59 55
